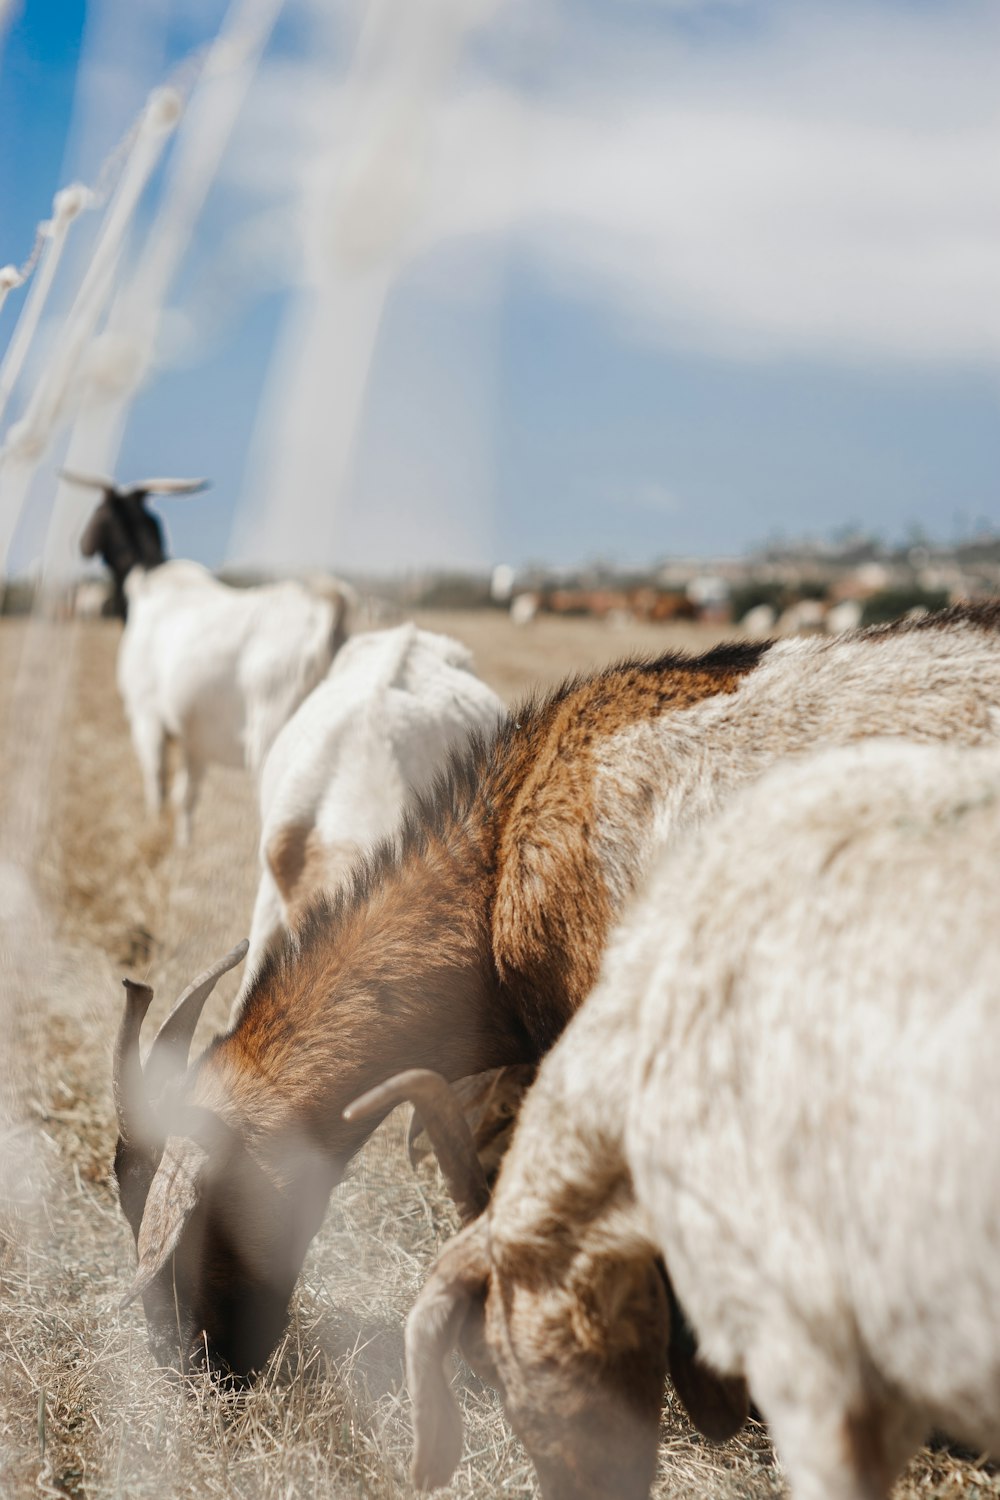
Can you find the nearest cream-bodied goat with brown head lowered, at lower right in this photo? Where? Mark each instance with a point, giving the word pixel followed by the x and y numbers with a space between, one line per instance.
pixel 785 1085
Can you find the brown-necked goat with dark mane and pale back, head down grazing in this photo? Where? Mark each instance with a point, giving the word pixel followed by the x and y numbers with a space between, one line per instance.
pixel 469 943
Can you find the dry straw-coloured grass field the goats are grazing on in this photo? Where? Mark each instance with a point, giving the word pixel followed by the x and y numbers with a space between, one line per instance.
pixel 83 1412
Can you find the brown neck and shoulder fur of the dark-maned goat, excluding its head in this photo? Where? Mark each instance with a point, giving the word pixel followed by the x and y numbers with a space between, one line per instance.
pixel 424 962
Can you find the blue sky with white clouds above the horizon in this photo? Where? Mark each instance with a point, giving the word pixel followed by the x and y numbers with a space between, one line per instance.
pixel 681 277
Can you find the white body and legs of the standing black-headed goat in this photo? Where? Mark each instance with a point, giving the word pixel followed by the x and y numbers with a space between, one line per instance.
pixel 220 670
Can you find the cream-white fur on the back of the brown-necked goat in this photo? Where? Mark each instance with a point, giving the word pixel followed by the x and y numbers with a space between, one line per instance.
pixel 660 778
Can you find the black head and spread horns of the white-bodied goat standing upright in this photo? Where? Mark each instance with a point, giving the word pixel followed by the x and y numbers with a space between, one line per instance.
pixel 124 533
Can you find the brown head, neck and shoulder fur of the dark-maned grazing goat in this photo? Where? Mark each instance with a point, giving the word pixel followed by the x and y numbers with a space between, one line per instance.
pixel 461 946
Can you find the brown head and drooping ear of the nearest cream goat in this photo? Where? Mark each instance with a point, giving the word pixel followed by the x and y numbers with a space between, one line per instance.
pixel 618 1345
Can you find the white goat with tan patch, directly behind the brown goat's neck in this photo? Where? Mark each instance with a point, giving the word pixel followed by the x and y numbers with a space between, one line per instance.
pixel 371 737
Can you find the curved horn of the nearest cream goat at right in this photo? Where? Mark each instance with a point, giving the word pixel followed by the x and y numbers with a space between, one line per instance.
pixel 446 1127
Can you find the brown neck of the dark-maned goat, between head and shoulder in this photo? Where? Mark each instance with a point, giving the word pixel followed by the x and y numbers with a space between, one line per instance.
pixel 410 965
